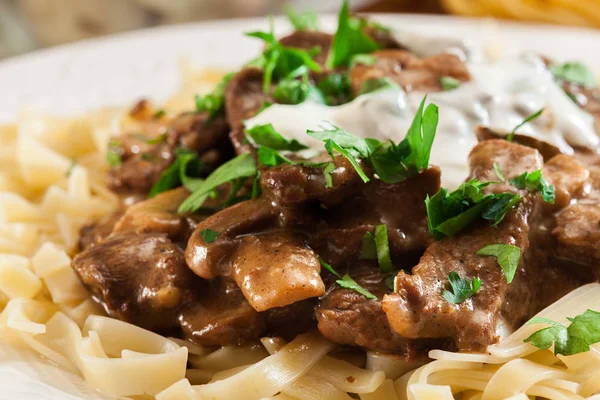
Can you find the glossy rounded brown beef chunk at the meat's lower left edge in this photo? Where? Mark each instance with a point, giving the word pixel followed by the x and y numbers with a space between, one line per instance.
pixel 140 278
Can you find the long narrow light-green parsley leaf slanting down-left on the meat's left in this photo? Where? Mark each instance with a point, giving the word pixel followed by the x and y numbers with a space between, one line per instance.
pixel 242 166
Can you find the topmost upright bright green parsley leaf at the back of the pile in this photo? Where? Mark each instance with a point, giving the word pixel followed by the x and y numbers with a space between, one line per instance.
pixel 349 39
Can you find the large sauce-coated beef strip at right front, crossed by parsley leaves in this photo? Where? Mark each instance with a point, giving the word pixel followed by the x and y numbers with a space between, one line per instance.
pixel 417 308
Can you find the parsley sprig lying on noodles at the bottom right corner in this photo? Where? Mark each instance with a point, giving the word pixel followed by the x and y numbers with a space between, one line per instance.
pixel 583 331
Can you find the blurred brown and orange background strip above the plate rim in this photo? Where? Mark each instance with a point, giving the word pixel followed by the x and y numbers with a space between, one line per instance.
pixel 26 25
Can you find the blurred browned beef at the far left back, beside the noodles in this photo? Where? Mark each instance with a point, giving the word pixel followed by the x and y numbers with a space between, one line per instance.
pixel 145 156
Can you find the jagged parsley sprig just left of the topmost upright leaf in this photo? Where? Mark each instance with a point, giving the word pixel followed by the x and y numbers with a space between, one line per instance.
pixel 280 62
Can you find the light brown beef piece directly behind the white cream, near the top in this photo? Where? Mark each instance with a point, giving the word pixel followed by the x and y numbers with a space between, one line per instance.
pixel 409 71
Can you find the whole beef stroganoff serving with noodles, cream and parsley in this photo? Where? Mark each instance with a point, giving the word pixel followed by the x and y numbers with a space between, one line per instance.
pixel 366 214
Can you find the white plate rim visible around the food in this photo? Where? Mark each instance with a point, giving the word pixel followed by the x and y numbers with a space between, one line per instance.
pixel 118 70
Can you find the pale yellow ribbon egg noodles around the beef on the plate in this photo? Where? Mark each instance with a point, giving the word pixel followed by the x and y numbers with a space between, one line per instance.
pixel 52 181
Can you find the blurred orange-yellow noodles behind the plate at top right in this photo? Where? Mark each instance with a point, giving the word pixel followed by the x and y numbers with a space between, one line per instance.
pixel 567 12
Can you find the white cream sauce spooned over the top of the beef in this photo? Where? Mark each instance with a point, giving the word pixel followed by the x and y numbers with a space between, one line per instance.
pixel 501 95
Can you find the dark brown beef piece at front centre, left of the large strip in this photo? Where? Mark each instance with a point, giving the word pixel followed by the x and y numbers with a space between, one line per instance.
pixel 347 317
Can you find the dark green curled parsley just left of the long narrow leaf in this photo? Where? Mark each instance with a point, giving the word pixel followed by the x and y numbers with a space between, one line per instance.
pixel 186 165
